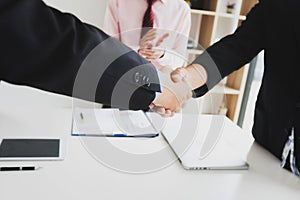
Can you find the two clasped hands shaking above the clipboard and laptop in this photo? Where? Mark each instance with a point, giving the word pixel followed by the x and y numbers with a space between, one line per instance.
pixel 177 88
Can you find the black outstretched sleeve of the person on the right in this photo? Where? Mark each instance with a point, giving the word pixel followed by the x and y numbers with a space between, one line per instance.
pixel 235 50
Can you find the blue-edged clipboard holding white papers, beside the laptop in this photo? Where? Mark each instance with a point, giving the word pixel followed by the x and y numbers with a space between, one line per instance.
pixel 111 123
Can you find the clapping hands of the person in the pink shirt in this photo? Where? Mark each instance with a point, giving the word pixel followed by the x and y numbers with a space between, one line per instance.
pixel 150 50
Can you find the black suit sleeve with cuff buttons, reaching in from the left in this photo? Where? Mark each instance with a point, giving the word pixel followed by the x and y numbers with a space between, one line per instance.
pixel 44 48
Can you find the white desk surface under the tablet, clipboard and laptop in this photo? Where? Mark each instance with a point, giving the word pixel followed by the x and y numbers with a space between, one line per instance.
pixel 80 176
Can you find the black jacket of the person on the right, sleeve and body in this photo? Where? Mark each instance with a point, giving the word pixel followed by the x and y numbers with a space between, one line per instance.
pixel 272 26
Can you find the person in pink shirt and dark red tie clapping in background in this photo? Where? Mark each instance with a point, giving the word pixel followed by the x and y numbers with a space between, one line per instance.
pixel 157 29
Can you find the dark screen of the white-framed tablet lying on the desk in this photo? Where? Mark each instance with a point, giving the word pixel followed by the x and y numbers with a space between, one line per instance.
pixel 27 148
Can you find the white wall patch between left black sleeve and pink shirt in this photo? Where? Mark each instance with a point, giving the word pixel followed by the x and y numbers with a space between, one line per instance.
pixel 90 11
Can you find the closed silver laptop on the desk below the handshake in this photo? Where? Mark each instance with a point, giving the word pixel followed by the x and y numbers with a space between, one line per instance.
pixel 202 142
